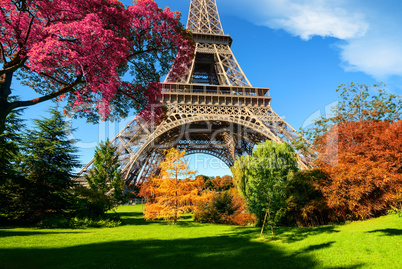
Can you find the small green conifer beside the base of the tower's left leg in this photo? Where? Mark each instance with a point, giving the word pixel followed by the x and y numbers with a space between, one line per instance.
pixel 104 177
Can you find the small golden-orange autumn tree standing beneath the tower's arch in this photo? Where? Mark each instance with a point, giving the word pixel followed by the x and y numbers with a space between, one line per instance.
pixel 172 192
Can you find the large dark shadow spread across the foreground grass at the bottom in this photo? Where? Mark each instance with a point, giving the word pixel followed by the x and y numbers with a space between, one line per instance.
pixel 209 252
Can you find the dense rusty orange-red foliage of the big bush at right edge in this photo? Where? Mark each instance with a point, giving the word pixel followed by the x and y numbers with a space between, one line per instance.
pixel 363 161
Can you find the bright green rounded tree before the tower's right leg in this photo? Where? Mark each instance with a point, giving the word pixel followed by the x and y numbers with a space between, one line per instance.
pixel 262 178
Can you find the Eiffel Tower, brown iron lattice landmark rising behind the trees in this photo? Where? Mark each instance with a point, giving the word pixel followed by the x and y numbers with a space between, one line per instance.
pixel 213 109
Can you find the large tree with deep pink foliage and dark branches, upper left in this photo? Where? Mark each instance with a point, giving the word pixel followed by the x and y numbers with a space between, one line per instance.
pixel 83 52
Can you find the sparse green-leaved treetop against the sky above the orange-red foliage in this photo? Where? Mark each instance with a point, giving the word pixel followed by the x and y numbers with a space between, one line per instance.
pixel 357 103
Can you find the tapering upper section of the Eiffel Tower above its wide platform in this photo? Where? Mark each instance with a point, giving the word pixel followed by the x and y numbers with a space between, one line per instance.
pixel 214 62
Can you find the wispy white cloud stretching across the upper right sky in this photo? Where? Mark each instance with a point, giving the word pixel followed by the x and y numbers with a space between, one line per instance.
pixel 370 30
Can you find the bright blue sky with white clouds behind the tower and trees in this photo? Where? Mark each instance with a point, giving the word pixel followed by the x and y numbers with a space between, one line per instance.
pixel 302 50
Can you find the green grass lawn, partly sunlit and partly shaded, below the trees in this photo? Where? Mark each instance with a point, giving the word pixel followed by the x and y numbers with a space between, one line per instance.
pixel 375 243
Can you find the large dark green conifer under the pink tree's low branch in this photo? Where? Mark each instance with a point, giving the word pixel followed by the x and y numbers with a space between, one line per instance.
pixel 49 157
